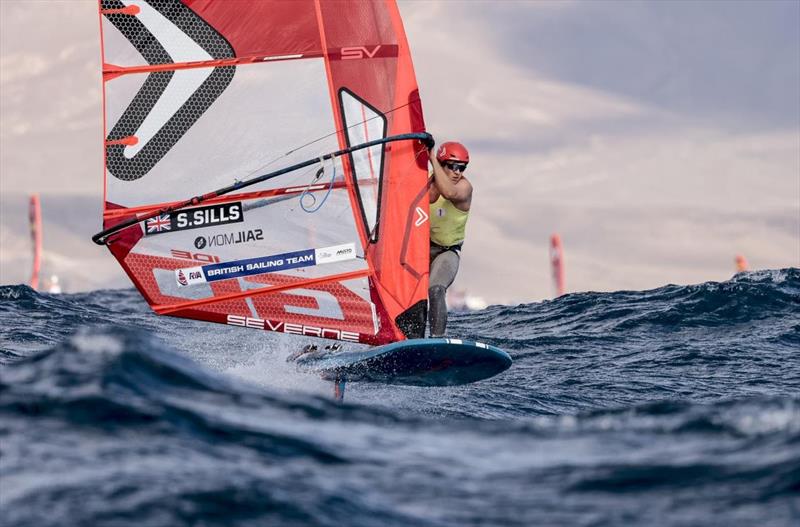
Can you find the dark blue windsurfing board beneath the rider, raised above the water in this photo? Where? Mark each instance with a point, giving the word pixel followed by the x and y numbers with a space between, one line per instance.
pixel 416 362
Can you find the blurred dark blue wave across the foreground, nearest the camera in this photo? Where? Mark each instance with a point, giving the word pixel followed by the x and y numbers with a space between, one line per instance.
pixel 130 429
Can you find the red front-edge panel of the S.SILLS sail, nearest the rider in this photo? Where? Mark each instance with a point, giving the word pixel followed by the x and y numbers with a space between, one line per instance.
pixel 375 78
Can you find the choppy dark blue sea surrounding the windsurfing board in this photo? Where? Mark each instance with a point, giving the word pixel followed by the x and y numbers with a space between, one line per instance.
pixel 677 406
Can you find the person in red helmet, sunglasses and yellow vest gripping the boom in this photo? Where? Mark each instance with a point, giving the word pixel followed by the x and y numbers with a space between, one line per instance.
pixel 450 196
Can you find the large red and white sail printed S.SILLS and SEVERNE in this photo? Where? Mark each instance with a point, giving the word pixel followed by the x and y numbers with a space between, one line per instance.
pixel 264 165
